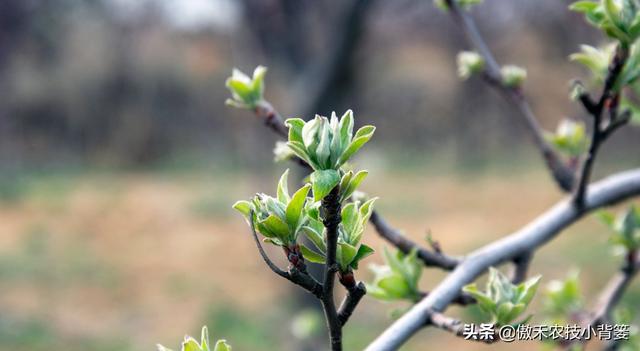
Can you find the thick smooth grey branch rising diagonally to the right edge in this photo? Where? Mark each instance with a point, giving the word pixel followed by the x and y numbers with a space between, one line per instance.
pixel 608 191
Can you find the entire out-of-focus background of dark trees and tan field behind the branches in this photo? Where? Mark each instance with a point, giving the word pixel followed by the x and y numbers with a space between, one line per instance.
pixel 119 161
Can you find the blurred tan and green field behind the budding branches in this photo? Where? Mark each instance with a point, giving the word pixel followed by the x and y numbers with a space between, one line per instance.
pixel 123 260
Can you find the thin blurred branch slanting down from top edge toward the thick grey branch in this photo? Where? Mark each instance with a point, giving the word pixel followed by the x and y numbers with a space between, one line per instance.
pixel 563 175
